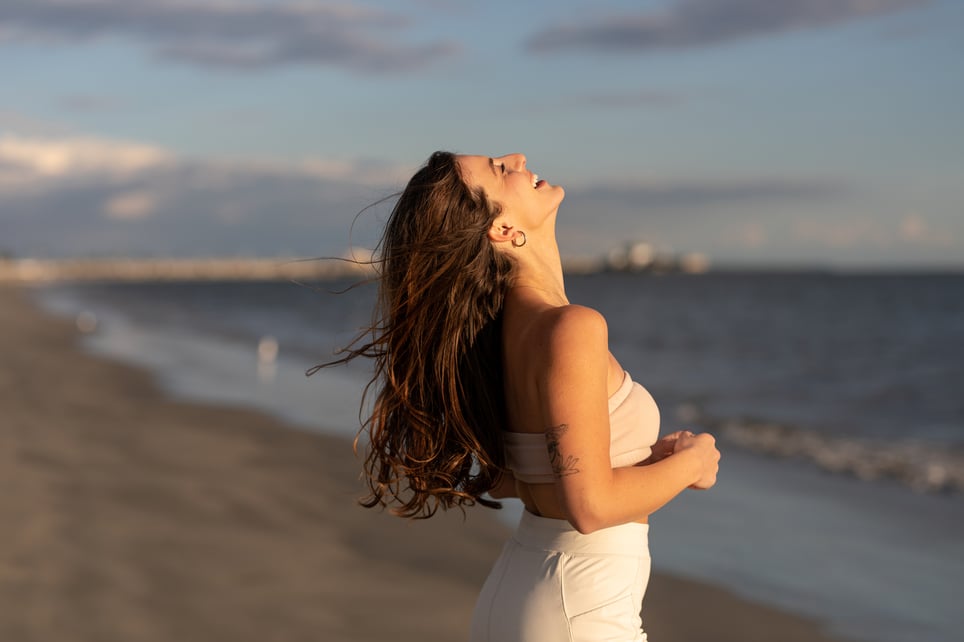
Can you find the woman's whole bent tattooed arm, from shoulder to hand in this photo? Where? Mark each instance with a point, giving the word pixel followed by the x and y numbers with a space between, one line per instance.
pixel 574 397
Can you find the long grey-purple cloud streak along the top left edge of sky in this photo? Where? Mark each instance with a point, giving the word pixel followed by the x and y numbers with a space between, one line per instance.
pixel 238 34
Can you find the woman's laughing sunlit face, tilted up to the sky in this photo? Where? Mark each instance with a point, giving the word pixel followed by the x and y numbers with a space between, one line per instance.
pixel 524 197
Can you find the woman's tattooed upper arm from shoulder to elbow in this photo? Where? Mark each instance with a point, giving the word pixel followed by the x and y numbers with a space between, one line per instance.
pixel 576 410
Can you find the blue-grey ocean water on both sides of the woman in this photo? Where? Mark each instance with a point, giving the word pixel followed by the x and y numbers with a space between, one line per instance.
pixel 838 401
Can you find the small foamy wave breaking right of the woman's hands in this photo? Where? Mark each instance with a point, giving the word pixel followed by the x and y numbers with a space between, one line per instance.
pixel 924 467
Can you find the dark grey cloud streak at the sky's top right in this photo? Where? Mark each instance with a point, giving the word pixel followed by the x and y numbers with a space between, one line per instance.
pixel 701 23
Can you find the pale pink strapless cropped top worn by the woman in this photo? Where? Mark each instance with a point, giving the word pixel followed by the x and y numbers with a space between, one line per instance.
pixel 633 429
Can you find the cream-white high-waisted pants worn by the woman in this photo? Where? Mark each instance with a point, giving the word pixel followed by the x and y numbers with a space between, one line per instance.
pixel 554 584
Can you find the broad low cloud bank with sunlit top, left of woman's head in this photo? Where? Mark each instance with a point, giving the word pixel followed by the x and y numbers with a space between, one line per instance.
pixel 91 196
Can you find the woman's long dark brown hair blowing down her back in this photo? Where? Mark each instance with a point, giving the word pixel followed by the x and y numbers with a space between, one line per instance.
pixel 435 429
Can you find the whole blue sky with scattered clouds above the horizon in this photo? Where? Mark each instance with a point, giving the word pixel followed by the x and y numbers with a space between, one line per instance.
pixel 786 132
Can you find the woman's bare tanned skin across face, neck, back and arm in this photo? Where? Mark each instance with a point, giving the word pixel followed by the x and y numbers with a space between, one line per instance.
pixel 559 372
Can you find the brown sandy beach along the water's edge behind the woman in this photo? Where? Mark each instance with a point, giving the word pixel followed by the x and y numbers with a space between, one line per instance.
pixel 126 515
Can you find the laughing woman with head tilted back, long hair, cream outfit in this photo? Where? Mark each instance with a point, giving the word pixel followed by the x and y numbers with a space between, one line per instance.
pixel 490 381
